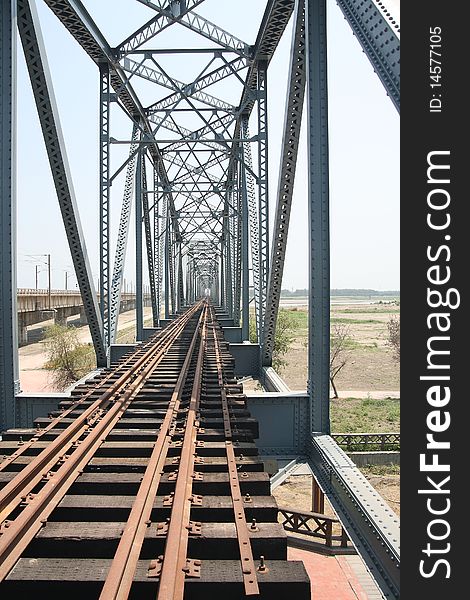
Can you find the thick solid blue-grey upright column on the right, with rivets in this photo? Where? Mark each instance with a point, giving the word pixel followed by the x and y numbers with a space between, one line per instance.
pixel 318 385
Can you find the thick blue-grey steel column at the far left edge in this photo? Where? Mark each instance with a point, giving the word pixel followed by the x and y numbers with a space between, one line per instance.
pixel 9 379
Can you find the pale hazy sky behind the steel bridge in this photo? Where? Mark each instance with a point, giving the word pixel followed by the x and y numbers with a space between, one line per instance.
pixel 364 155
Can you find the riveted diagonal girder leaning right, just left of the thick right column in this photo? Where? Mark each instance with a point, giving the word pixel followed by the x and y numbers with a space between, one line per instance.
pixel 289 151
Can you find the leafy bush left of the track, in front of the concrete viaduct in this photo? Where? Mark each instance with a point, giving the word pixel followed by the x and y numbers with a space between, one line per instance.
pixel 68 359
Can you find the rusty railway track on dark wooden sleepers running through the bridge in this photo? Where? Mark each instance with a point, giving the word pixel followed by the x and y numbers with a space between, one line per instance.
pixel 146 484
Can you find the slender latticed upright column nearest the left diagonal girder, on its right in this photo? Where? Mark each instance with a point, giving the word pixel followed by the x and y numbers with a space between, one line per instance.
pixel 105 292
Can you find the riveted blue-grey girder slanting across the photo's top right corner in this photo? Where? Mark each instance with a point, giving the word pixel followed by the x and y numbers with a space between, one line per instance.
pixel 378 32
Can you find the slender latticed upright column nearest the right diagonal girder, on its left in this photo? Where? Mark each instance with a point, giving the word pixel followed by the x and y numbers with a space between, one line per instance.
pixel 263 208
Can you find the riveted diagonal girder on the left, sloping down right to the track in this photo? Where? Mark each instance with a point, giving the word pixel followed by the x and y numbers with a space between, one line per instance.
pixel 31 38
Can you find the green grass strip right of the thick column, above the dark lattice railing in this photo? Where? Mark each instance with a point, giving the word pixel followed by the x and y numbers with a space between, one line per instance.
pixel 365 415
